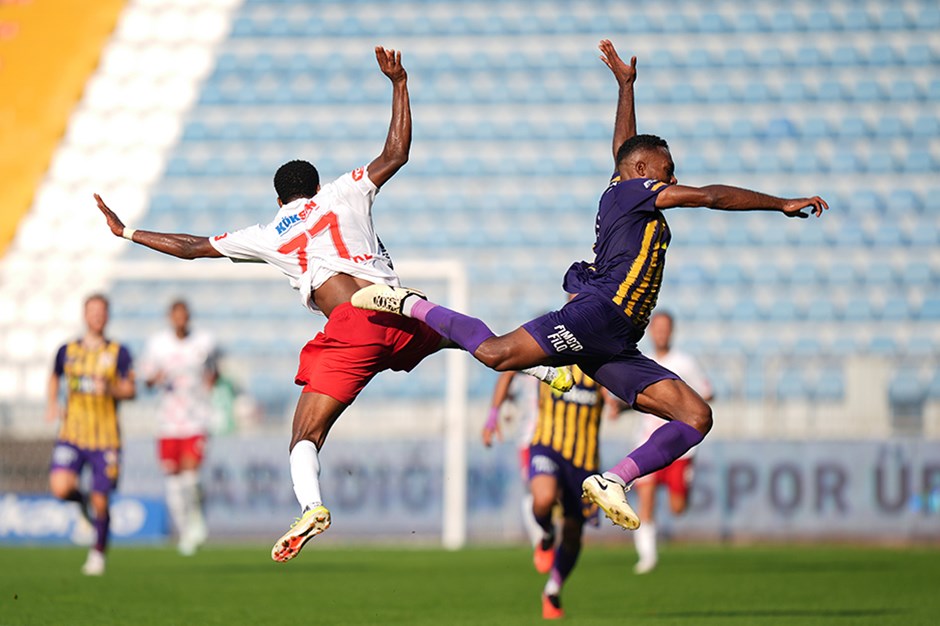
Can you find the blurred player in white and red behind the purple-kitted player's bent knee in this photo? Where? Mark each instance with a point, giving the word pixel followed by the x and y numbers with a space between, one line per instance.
pixel 677 476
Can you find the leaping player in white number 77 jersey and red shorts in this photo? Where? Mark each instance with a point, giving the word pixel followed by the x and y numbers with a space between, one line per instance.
pixel 323 240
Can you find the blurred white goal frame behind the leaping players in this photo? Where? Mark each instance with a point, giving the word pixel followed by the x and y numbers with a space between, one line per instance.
pixel 450 271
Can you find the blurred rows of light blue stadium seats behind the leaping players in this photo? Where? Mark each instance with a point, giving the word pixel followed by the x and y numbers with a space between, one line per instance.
pixel 854 115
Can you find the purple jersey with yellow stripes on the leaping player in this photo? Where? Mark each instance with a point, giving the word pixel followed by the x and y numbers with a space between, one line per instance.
pixel 629 252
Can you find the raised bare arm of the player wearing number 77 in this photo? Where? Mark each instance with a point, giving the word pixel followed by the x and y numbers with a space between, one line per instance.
pixel 398 142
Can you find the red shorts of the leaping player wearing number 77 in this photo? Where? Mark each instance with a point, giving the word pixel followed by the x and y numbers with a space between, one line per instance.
pixel 355 345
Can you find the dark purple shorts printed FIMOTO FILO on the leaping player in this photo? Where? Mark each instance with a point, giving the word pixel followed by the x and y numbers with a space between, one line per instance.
pixel 590 332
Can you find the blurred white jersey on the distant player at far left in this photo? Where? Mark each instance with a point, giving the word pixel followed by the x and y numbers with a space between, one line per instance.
pixel 186 404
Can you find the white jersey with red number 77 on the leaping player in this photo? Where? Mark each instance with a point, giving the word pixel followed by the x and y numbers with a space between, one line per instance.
pixel 312 239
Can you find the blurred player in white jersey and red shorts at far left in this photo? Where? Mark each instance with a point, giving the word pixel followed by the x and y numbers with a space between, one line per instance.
pixel 181 363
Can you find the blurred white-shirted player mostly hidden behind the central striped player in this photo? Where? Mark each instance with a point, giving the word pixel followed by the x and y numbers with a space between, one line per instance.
pixel 522 393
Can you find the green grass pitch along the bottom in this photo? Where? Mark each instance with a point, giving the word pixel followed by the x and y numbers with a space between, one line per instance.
pixel 710 585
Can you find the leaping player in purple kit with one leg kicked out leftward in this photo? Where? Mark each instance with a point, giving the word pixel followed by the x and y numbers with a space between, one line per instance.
pixel 599 328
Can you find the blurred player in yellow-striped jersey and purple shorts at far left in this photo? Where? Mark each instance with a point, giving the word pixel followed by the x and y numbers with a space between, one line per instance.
pixel 98 373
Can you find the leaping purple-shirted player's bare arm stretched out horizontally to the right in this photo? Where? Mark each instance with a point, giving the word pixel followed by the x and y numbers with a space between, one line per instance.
pixel 726 198
